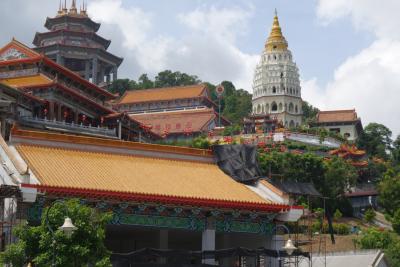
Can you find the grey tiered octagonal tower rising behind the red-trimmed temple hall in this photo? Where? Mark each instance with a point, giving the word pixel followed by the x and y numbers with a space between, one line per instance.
pixel 72 41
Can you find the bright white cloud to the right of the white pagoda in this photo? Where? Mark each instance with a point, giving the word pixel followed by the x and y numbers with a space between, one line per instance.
pixel 370 80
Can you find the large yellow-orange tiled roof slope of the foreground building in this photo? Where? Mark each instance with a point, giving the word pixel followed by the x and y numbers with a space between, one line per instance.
pixel 67 168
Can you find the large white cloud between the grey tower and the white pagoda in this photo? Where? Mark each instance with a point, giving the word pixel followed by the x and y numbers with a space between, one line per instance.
pixel 207 50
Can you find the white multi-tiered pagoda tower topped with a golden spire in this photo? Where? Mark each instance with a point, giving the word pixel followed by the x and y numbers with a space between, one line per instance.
pixel 276 83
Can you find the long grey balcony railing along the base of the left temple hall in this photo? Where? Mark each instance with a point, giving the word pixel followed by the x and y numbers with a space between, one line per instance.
pixel 68 127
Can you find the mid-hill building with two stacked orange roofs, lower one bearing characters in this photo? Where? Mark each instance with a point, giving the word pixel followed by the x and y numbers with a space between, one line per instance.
pixel 172 112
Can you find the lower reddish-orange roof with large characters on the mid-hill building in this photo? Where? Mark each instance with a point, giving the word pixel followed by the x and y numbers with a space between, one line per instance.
pixel 194 120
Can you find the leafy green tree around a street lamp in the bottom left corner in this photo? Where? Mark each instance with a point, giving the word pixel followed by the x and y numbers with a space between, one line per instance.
pixel 86 245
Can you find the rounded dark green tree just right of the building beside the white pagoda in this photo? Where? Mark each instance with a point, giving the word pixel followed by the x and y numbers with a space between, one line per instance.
pixel 376 140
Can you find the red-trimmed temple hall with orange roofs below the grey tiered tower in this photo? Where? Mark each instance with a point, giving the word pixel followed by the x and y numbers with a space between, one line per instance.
pixel 58 99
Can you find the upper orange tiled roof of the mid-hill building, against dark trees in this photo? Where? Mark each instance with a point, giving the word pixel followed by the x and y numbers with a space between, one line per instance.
pixel 159 94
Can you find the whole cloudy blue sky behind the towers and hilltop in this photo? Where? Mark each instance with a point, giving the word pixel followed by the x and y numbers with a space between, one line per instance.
pixel 348 51
